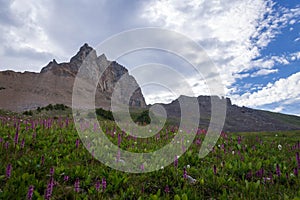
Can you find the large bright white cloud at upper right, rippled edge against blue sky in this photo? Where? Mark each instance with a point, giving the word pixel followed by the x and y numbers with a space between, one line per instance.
pixel 232 32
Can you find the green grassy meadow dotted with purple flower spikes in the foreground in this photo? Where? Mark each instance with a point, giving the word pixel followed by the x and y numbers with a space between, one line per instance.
pixel 57 144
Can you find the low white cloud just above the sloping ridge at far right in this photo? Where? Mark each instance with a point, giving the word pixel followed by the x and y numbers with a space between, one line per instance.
pixel 285 90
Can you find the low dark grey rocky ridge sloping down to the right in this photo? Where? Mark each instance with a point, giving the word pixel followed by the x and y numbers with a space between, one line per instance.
pixel 238 119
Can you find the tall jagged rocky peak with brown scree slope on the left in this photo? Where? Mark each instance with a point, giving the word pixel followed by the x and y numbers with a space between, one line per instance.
pixel 54 84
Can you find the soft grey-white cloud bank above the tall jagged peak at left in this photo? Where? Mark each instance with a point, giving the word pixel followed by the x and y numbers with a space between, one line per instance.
pixel 58 28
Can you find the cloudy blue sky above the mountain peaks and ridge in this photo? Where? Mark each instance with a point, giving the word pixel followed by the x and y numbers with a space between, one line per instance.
pixel 255 44
